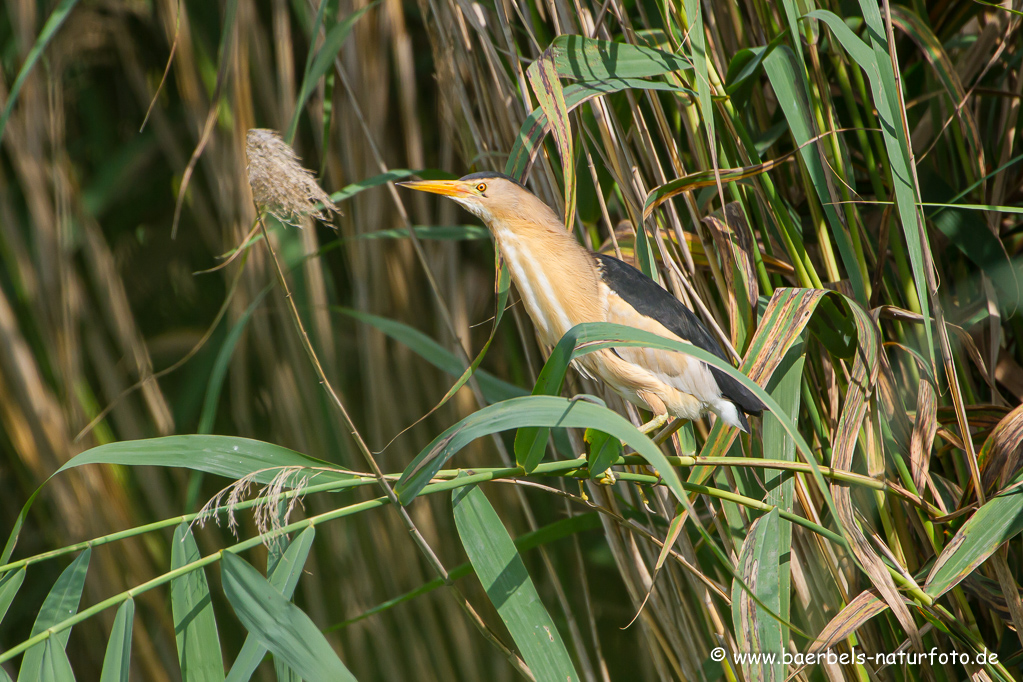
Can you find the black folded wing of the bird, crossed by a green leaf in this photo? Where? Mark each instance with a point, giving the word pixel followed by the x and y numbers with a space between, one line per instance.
pixel 644 294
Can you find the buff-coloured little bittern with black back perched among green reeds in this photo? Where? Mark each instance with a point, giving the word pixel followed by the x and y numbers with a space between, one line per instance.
pixel 562 285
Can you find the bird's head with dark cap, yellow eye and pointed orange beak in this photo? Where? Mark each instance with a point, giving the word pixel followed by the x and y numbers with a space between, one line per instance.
pixel 493 197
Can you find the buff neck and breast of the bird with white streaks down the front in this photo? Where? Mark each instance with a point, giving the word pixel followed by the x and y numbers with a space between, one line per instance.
pixel 556 278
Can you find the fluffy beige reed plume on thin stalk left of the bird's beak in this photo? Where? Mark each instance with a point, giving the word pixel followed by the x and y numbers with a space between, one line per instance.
pixel 280 184
